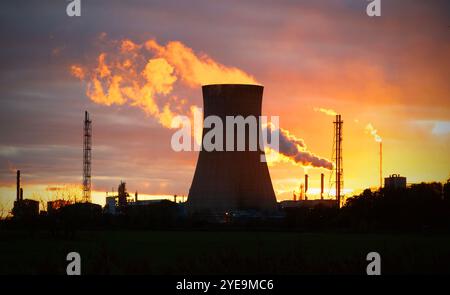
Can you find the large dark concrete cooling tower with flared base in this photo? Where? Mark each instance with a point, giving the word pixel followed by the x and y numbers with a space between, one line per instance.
pixel 231 180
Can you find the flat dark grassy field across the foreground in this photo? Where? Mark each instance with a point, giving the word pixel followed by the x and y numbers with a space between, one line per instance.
pixel 182 252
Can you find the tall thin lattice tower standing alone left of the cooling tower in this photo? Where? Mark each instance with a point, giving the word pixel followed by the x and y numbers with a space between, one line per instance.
pixel 87 157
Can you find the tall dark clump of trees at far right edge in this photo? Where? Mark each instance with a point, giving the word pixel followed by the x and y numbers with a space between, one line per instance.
pixel 419 207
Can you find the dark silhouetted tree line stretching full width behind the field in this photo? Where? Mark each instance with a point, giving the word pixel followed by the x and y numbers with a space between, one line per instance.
pixel 419 207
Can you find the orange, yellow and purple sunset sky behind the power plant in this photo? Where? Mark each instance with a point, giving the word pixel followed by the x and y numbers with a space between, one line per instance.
pixel 390 71
